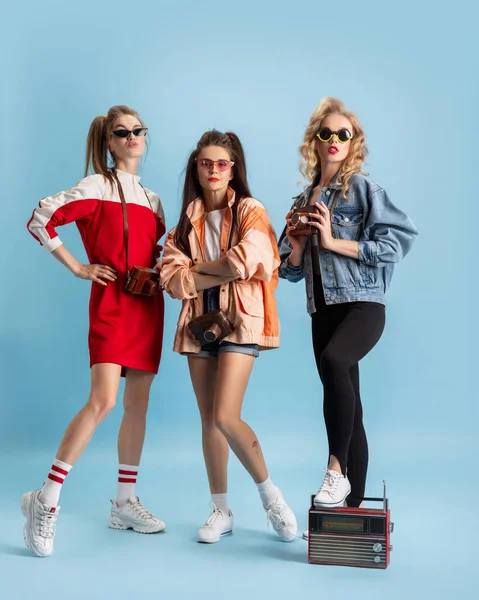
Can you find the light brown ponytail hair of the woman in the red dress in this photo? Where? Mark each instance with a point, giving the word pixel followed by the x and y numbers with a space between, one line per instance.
pixel 97 141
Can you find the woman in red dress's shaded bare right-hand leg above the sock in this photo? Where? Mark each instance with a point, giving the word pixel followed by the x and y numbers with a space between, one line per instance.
pixel 133 424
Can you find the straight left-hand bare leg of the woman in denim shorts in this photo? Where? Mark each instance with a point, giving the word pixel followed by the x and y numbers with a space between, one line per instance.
pixel 203 372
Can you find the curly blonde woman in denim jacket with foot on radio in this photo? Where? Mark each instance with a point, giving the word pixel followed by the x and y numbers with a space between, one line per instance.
pixel 347 268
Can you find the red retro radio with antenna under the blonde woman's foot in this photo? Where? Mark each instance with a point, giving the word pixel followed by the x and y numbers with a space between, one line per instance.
pixel 351 537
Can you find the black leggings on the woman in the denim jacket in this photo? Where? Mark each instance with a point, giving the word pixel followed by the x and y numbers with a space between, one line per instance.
pixel 342 335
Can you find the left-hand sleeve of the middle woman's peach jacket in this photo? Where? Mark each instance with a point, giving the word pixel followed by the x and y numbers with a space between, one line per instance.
pixel 176 276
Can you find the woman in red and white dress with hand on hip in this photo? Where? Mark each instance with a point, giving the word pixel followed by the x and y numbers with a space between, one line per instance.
pixel 126 331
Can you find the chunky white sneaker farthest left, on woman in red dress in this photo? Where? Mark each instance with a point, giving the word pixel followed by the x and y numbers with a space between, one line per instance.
pixel 39 530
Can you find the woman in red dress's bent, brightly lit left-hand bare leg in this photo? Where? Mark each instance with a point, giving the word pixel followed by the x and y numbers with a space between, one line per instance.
pixel 105 379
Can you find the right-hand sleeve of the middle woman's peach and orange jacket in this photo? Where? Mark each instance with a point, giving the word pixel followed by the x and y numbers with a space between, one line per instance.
pixel 256 254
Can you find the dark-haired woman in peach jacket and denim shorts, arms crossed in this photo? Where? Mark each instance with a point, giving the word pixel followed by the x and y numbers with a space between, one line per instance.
pixel 223 255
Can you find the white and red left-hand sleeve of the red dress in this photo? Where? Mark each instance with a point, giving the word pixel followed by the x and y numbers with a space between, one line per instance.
pixel 76 204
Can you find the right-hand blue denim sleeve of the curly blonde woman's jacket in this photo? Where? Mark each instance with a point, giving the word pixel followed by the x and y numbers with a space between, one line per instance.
pixel 388 234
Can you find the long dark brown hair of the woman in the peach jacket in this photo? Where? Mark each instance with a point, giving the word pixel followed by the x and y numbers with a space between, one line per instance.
pixel 192 188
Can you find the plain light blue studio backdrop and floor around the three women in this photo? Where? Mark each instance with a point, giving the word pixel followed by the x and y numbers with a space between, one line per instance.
pixel 259 69
